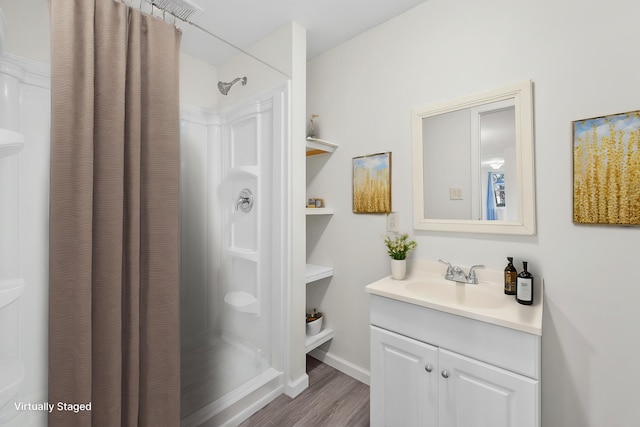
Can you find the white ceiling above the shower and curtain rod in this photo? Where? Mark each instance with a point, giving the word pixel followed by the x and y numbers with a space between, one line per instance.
pixel 245 22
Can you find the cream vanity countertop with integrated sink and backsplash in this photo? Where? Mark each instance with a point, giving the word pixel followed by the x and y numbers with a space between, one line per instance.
pixel 425 286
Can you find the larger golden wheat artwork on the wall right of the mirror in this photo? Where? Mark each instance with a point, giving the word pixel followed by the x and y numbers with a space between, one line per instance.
pixel 606 170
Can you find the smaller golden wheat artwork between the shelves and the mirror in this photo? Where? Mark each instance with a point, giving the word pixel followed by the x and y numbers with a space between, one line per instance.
pixel 372 183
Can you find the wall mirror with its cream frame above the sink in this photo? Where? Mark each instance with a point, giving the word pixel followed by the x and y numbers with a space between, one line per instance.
pixel 473 166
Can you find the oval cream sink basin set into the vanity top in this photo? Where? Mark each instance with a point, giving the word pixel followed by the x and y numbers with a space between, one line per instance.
pixel 441 291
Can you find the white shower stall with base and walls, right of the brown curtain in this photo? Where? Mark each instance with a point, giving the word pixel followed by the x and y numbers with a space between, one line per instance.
pixel 234 204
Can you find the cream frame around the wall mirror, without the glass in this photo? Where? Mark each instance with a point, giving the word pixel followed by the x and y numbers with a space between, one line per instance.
pixel 521 93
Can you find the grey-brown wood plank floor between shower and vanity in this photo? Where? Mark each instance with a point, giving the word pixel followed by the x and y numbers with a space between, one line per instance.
pixel 333 399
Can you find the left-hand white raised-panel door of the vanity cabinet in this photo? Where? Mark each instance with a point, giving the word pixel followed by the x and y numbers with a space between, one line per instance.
pixel 404 381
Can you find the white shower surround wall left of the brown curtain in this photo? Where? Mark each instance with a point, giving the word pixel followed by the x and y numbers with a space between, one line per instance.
pixel 24 107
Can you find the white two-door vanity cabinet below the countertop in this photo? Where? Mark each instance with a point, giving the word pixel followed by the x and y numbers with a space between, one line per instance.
pixel 433 368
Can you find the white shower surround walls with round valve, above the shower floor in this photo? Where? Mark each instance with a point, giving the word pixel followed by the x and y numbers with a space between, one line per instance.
pixel 223 153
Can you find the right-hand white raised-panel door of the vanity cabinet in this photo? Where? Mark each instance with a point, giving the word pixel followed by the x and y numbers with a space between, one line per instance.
pixel 475 394
